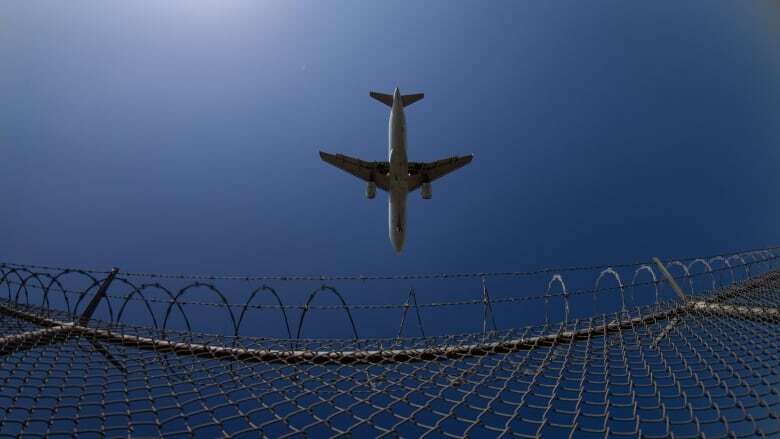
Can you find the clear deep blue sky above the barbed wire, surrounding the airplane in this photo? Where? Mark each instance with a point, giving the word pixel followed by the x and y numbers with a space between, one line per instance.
pixel 179 136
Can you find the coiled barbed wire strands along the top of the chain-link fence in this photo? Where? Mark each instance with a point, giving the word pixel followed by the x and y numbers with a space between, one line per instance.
pixel 172 298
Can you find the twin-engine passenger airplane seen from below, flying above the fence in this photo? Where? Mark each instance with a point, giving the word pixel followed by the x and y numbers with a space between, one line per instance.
pixel 397 176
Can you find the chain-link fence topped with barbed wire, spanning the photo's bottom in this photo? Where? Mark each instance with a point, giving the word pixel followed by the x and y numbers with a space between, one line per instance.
pixel 618 359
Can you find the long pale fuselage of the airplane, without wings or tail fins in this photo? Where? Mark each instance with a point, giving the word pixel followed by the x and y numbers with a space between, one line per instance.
pixel 399 171
